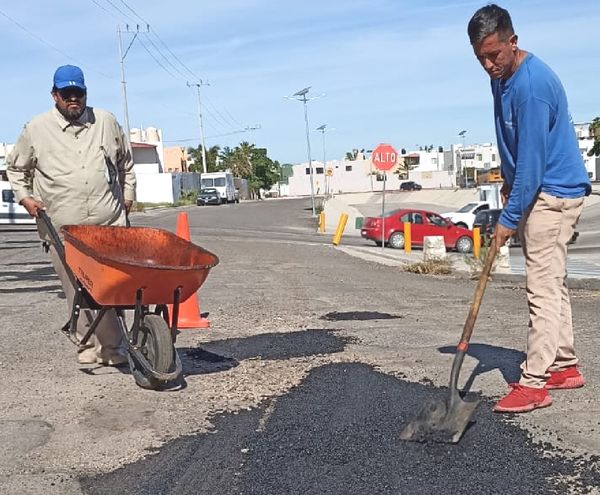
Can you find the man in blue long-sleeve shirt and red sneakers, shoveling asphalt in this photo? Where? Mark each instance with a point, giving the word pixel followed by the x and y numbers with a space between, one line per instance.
pixel 545 182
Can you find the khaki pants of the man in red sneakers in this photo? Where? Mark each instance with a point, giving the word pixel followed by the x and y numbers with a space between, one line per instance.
pixel 544 232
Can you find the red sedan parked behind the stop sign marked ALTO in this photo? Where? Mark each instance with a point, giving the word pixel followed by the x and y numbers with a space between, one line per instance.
pixel 423 223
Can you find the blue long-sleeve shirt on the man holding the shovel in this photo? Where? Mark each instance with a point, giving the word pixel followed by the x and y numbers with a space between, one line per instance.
pixel 536 139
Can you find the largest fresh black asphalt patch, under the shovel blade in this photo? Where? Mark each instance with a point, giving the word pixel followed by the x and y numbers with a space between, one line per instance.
pixel 337 433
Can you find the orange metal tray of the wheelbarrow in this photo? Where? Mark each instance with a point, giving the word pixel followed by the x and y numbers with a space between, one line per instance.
pixel 112 263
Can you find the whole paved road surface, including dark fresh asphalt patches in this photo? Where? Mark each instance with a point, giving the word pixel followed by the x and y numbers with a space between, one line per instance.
pixel 313 363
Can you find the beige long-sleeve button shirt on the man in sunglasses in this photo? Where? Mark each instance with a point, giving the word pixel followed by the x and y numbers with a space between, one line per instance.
pixel 67 166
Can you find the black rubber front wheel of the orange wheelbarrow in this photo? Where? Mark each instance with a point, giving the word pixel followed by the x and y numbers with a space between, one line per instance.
pixel 156 344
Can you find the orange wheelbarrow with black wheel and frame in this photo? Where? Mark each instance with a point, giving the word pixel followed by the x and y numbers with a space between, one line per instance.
pixel 133 268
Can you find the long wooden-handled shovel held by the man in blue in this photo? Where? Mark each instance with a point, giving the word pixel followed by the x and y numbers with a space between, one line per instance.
pixel 445 421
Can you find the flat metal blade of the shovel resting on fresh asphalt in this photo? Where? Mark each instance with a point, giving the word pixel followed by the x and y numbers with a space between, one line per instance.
pixel 442 421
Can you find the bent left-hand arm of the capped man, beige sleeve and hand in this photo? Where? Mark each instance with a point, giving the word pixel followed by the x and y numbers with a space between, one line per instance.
pixel 21 164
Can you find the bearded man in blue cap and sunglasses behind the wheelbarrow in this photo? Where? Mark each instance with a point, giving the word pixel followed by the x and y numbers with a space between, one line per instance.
pixel 75 163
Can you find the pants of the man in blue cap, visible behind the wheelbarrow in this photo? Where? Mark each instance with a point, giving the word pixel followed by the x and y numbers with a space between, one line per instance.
pixel 107 339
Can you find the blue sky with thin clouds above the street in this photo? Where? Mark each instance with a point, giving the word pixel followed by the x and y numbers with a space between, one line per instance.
pixel 392 71
